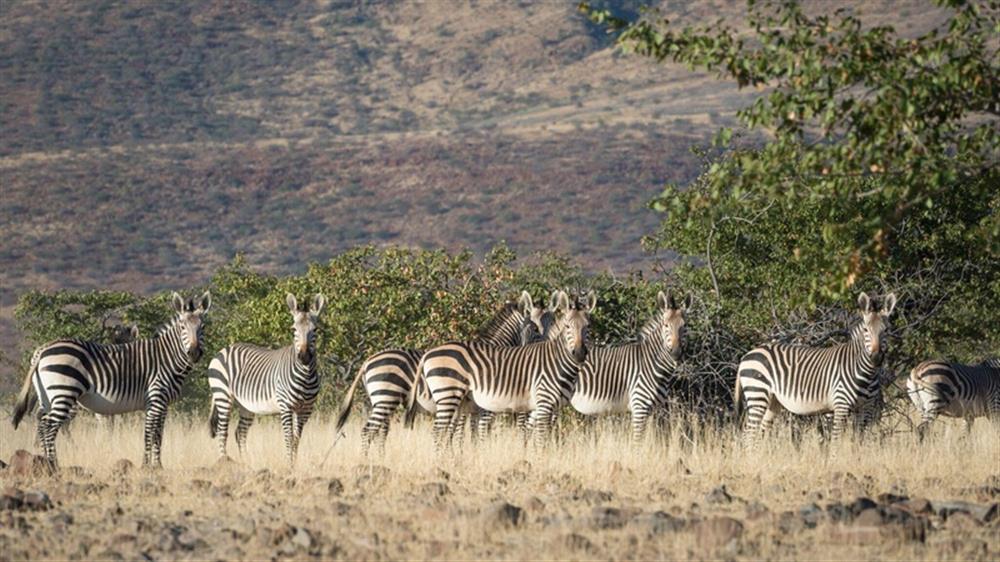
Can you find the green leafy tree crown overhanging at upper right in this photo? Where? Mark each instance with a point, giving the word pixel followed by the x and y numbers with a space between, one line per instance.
pixel 868 131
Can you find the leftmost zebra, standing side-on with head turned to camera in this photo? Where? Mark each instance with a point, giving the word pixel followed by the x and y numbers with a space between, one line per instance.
pixel 146 374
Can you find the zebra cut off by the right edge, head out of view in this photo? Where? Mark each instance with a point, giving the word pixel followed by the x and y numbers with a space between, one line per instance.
pixel 956 390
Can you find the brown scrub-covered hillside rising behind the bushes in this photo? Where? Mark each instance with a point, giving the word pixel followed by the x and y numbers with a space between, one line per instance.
pixel 143 145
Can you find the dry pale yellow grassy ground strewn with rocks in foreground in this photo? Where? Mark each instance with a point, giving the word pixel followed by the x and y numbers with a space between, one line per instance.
pixel 593 495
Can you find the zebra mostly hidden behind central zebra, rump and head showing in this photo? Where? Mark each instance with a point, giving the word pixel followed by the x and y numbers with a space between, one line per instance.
pixel 389 375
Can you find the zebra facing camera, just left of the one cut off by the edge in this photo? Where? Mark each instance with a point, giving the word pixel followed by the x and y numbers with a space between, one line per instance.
pixel 814 380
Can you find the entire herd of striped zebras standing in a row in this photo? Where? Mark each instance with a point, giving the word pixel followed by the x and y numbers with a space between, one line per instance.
pixel 530 360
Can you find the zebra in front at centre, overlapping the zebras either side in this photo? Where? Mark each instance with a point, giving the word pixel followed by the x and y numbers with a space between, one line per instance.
pixel 535 378
